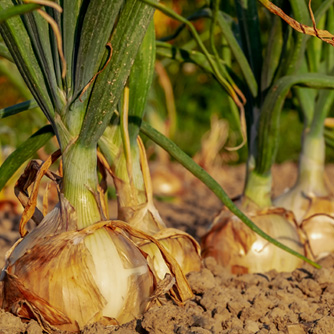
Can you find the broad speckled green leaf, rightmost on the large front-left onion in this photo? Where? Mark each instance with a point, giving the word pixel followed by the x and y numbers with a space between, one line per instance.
pixel 126 40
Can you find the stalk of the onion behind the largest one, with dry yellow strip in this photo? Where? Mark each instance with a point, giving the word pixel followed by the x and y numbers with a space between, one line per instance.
pixel 119 143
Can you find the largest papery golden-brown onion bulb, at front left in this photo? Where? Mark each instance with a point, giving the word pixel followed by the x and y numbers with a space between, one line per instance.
pixel 67 279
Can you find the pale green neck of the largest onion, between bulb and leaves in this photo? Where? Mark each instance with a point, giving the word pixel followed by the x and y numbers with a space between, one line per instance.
pixel 80 179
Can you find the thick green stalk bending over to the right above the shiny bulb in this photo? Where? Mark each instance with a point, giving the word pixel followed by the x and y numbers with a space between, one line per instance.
pixel 258 182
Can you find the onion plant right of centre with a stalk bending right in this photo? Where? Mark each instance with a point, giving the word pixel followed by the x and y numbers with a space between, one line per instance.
pixel 279 73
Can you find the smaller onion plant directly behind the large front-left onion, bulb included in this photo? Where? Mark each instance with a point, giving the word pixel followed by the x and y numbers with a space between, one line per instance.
pixel 129 168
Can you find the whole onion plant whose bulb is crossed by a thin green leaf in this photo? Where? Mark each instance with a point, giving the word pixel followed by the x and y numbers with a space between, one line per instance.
pixel 232 244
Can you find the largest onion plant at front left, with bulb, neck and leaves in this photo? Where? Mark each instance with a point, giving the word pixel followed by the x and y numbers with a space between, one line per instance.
pixel 70 270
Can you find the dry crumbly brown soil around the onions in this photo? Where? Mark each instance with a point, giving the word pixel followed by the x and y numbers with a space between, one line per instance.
pixel 297 302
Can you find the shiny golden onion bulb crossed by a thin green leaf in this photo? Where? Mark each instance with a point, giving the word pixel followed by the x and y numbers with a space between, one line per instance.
pixel 238 248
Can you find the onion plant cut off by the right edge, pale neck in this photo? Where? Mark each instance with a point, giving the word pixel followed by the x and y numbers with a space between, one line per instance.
pixel 311 198
